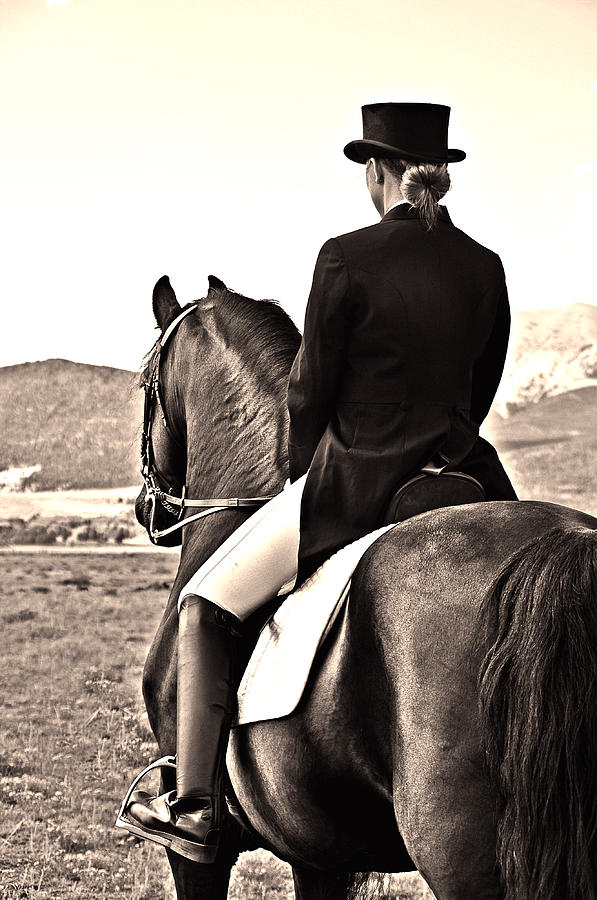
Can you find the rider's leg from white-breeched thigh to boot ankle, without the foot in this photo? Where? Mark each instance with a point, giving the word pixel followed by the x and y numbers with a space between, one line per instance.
pixel 247 570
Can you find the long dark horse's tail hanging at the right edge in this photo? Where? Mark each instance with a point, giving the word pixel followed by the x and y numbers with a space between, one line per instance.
pixel 538 703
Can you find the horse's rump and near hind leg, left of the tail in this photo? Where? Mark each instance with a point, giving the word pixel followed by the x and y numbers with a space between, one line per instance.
pixel 422 585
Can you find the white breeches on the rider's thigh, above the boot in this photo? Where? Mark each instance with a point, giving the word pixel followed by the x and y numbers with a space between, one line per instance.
pixel 257 560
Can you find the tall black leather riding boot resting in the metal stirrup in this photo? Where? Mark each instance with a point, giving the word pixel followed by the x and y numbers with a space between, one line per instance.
pixel 189 820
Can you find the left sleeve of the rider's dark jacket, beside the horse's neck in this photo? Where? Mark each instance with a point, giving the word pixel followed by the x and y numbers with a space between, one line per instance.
pixel 317 368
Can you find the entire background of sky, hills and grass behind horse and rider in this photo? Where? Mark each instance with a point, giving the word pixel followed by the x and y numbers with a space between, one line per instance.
pixel 141 138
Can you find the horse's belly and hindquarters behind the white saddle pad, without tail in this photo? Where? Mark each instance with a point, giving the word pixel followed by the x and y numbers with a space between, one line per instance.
pixel 380 767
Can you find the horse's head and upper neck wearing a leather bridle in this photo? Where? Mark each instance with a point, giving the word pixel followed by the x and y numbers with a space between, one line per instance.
pixel 215 418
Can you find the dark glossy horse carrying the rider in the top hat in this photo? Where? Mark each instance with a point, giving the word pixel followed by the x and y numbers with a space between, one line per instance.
pixel 451 725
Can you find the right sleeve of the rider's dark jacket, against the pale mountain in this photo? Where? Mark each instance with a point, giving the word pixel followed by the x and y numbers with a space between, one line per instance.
pixel 488 368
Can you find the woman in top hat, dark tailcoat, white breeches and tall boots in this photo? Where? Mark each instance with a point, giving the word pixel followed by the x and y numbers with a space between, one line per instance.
pixel 405 337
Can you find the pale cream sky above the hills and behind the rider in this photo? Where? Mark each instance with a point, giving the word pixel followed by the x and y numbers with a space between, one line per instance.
pixel 148 137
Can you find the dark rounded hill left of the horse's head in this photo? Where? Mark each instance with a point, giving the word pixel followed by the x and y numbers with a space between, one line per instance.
pixel 79 423
